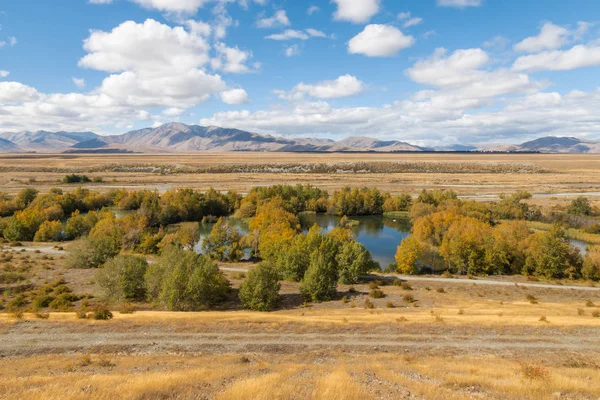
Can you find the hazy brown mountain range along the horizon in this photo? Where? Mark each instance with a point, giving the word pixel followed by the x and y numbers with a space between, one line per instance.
pixel 177 137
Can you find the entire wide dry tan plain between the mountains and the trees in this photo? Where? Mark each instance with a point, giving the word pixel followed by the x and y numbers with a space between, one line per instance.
pixel 564 173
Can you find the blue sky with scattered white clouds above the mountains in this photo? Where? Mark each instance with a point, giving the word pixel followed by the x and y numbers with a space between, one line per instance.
pixel 429 72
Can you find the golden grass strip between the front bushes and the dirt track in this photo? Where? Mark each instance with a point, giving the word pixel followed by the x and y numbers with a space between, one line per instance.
pixel 481 312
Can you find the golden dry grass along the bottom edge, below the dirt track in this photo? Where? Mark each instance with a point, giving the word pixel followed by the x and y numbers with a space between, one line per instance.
pixel 304 376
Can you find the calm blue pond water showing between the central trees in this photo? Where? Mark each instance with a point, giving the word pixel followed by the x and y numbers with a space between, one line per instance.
pixel 381 236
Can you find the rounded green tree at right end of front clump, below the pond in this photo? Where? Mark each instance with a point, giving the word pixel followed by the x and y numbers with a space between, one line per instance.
pixel 353 261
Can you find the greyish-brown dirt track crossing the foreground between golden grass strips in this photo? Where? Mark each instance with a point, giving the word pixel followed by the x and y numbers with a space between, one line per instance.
pixel 28 338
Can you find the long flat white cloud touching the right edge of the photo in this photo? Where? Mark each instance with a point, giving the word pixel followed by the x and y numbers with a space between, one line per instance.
pixel 560 60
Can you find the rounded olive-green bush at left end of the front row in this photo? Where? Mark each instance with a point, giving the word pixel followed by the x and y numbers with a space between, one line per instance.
pixel 122 278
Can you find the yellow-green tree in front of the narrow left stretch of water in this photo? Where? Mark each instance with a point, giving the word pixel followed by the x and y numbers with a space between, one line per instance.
pixel 224 242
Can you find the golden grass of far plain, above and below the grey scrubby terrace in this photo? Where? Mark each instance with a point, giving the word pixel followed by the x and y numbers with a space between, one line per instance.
pixel 573 173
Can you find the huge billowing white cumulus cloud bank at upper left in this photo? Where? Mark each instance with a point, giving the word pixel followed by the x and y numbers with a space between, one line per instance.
pixel 149 66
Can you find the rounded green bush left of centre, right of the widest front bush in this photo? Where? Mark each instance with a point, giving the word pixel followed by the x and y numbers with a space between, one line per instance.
pixel 260 290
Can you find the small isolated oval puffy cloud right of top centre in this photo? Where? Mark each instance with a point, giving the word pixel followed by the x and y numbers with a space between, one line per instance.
pixel 379 41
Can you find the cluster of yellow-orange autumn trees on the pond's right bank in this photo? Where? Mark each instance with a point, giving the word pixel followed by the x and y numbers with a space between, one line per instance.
pixel 467 237
